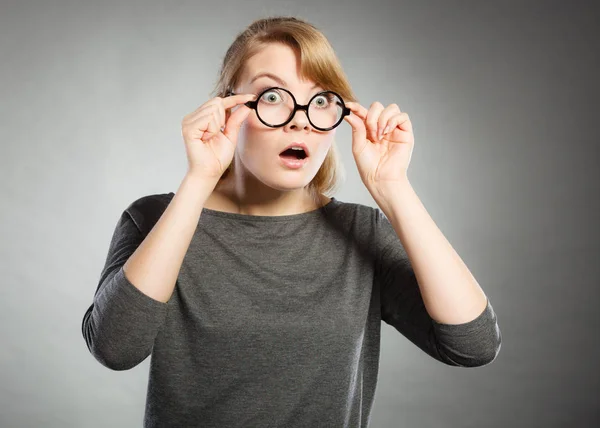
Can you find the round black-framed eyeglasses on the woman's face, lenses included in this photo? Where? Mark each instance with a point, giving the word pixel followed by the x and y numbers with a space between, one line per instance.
pixel 275 107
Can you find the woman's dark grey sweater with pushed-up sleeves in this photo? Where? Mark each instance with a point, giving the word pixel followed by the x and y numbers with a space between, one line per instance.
pixel 274 321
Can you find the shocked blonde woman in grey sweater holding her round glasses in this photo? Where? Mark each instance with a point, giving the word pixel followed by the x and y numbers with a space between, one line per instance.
pixel 259 297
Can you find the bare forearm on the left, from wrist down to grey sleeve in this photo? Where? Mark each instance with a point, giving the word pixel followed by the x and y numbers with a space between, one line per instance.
pixel 154 266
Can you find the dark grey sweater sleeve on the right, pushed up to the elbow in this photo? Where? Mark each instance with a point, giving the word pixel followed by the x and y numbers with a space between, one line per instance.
pixel 471 344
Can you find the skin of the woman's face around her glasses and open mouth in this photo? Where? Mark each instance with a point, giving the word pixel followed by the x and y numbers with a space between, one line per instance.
pixel 259 146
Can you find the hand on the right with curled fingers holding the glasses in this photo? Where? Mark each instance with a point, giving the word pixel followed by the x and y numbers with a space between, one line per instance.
pixel 382 144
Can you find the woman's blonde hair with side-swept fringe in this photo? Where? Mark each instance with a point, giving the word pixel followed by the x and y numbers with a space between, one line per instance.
pixel 318 63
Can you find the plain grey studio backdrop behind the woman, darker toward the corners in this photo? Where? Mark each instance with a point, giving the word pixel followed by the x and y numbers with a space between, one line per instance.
pixel 504 101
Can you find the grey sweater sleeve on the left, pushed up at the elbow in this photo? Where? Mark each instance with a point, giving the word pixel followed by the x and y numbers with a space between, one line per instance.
pixel 121 324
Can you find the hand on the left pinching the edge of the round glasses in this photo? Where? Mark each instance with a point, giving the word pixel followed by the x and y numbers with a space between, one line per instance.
pixel 210 134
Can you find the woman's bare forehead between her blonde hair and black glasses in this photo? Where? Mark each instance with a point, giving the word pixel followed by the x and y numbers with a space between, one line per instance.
pixel 278 60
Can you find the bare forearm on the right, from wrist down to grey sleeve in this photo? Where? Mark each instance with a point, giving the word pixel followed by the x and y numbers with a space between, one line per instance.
pixel 450 292
